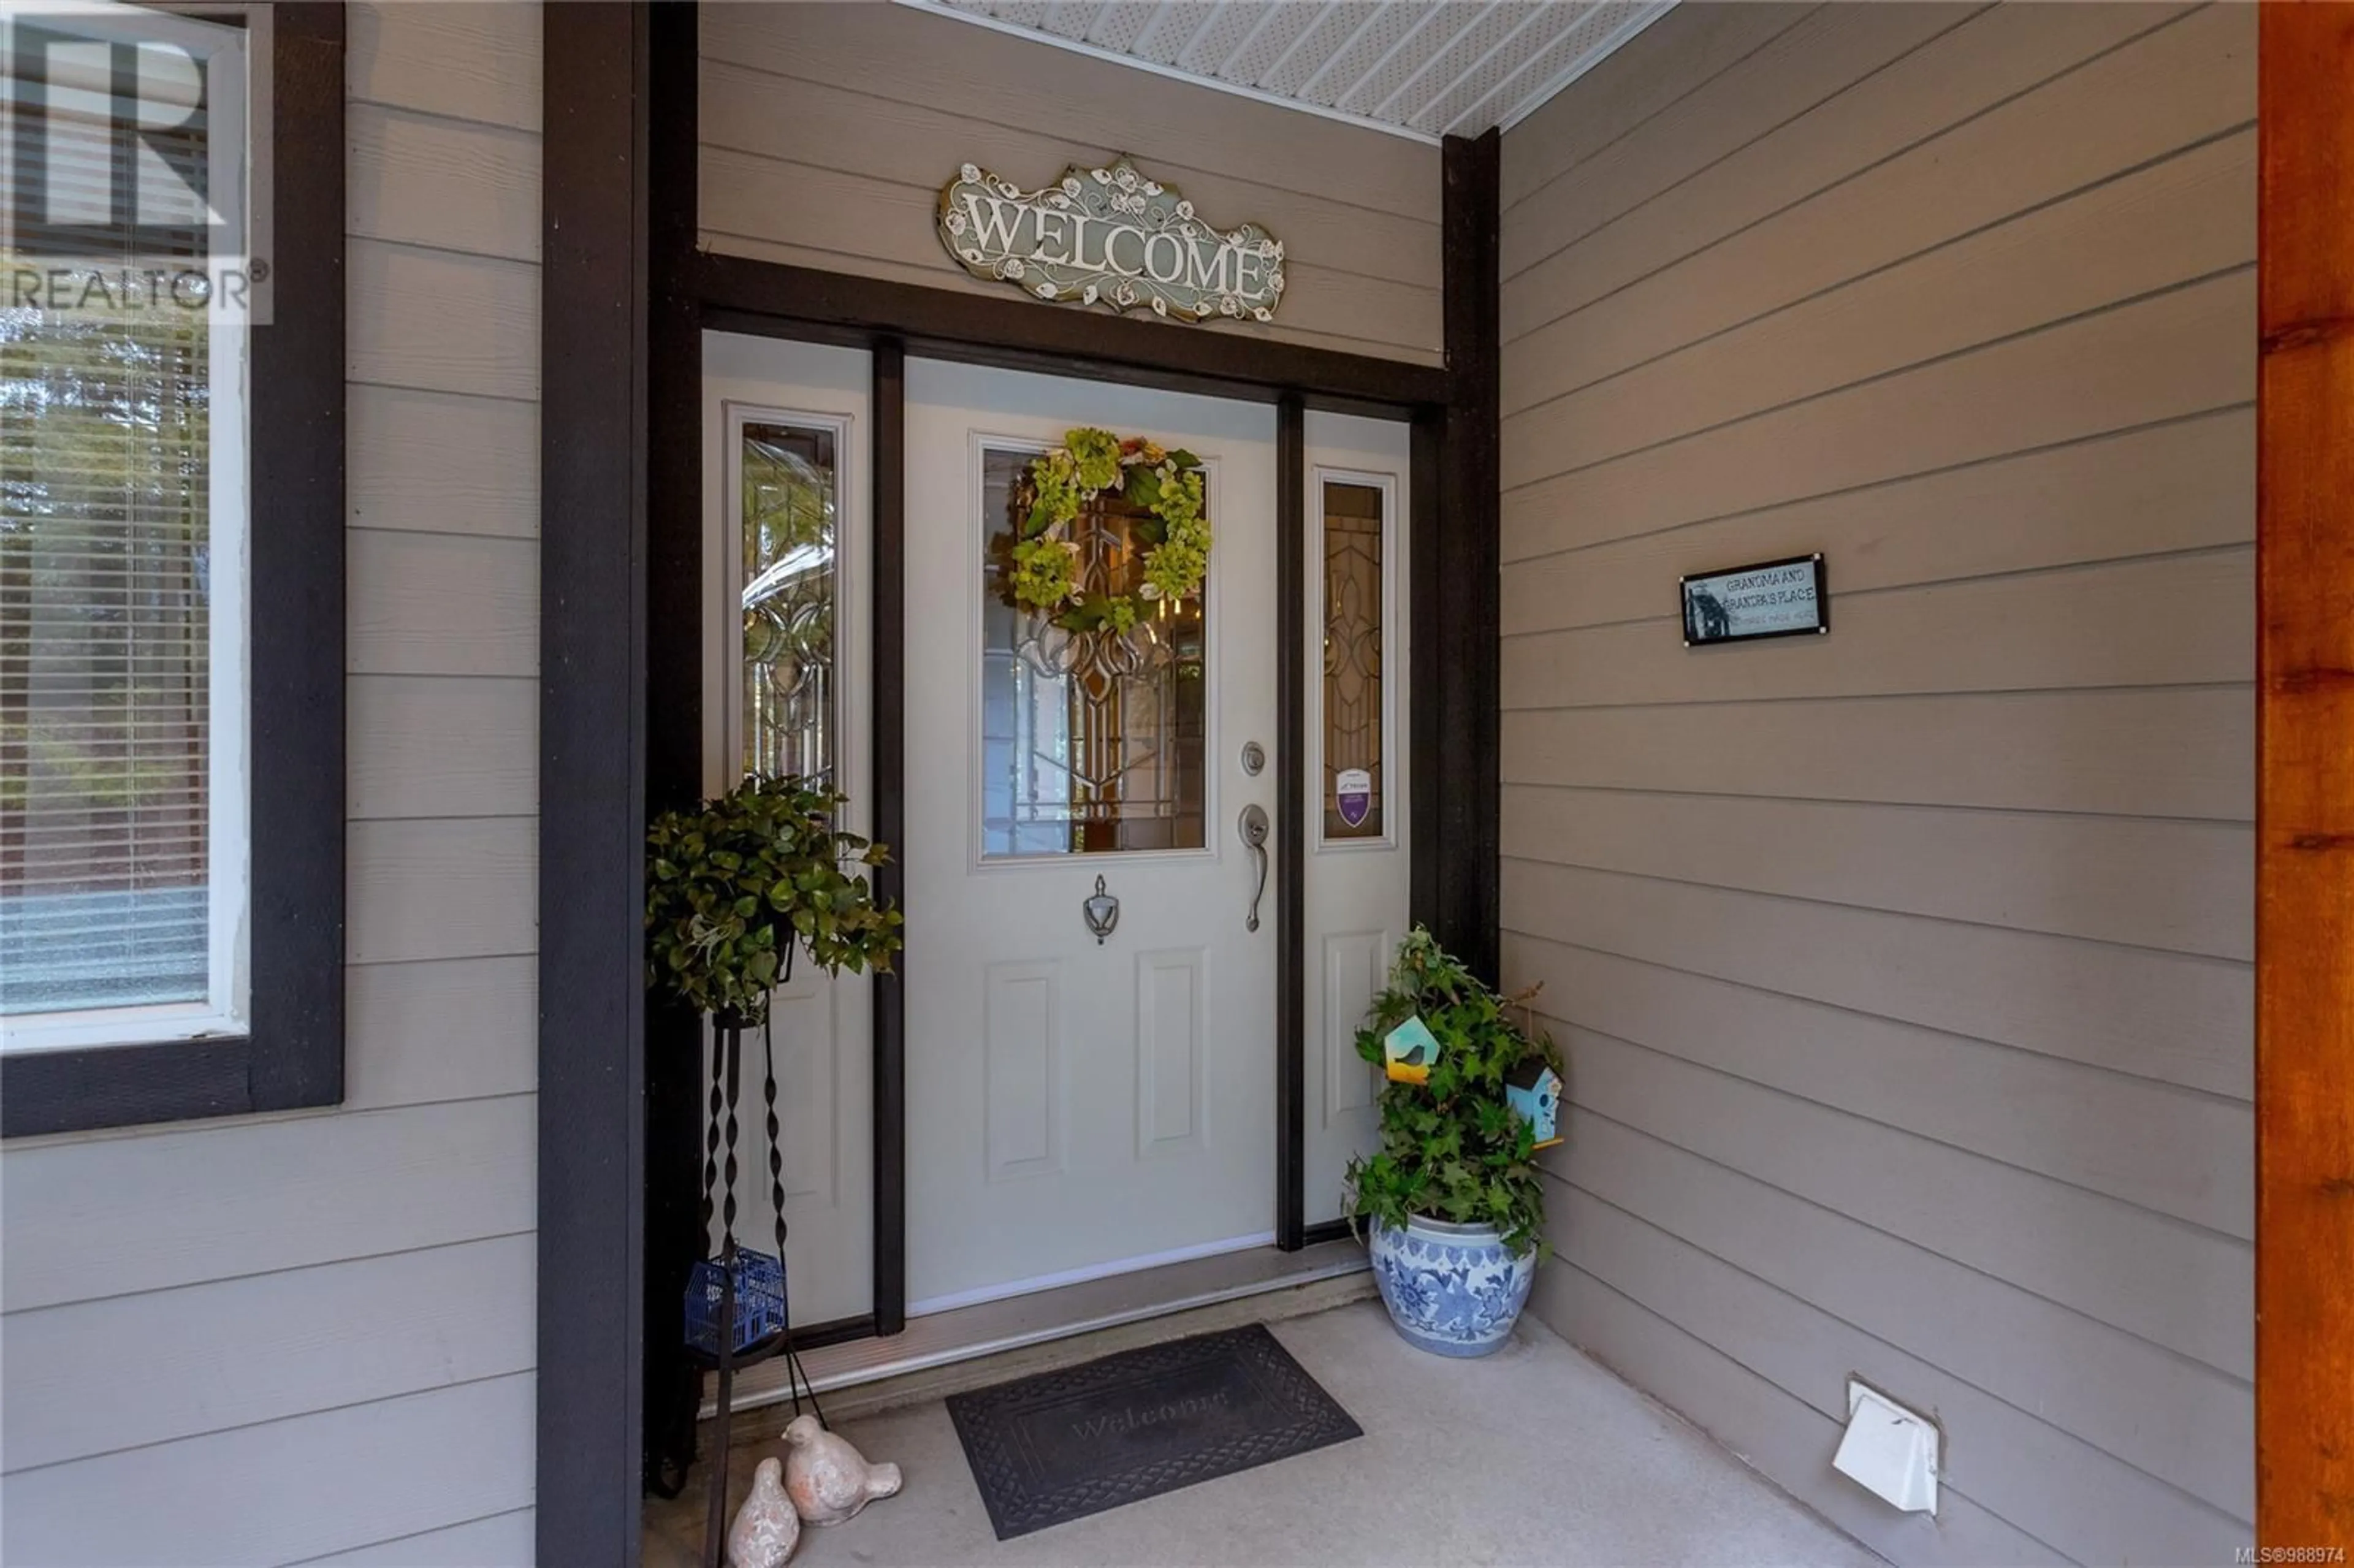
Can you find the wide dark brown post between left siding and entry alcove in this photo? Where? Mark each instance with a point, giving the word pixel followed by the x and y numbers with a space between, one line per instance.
pixel 592 780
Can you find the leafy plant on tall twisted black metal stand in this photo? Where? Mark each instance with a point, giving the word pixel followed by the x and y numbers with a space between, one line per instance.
pixel 733 891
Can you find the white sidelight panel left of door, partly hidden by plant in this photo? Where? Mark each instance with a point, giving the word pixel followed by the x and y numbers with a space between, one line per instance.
pixel 771 404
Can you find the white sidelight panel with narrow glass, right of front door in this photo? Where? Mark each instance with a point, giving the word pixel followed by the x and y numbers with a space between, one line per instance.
pixel 1357 872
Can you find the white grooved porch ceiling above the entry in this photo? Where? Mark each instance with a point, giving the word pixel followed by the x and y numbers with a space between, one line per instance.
pixel 1418 69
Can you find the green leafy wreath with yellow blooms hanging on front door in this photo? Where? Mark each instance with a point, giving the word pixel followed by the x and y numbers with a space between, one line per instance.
pixel 1039 557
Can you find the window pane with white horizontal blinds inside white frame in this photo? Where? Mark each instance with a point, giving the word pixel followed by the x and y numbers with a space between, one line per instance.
pixel 107 545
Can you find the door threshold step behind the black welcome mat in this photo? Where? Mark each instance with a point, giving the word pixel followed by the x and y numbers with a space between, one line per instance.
pixel 1009 1324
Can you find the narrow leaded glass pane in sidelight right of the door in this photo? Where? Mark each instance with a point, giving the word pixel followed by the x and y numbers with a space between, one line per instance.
pixel 1352 691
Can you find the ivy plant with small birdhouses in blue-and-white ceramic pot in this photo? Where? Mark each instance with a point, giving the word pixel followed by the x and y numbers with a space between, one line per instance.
pixel 1454 1207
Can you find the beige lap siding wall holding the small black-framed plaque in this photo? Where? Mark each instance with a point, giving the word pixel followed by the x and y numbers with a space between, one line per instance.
pixel 1903 971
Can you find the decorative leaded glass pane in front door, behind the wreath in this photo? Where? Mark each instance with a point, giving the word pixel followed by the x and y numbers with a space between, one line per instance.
pixel 1091 740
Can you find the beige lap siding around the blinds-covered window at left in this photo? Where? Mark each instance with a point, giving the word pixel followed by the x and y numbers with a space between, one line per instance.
pixel 312 1338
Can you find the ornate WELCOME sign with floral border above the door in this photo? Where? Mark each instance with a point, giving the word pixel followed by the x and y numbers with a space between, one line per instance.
pixel 1115 239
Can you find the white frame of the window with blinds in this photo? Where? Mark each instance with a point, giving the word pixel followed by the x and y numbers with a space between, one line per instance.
pixel 225 1011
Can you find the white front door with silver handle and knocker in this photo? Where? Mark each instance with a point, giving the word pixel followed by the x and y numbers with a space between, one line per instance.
pixel 1082 1105
